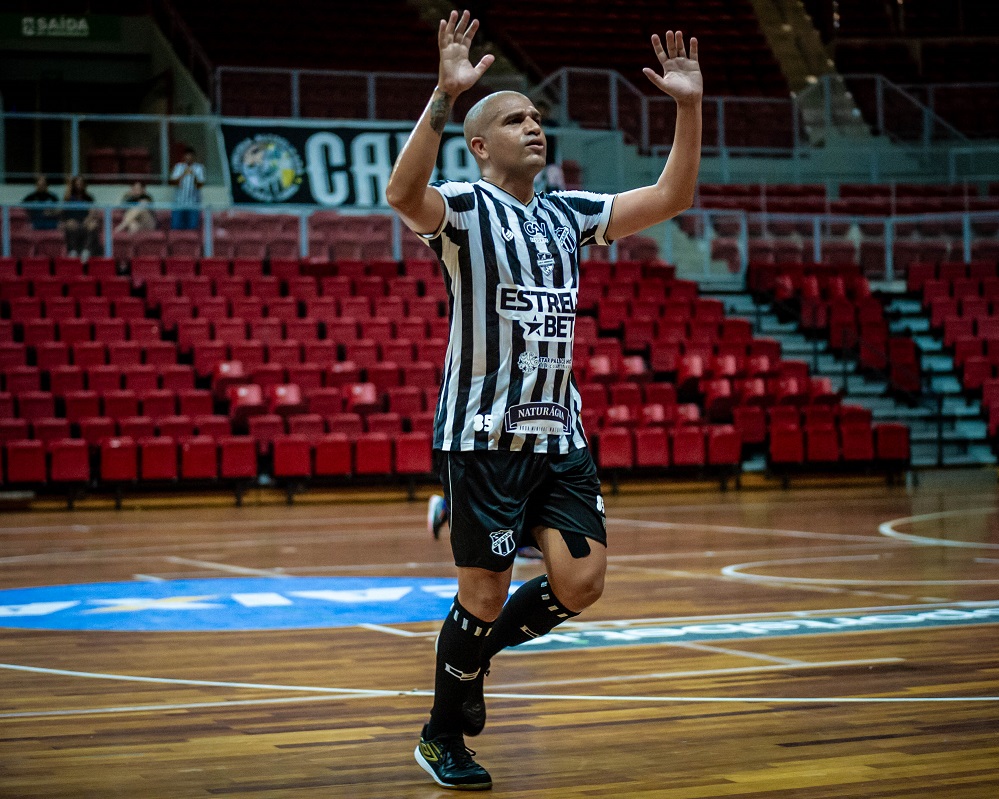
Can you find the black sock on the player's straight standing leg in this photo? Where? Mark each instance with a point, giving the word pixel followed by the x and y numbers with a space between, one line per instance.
pixel 459 650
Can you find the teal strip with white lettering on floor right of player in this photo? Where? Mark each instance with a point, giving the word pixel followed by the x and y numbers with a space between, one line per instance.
pixel 777 627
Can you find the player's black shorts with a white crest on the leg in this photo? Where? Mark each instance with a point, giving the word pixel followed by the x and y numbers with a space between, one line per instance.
pixel 497 498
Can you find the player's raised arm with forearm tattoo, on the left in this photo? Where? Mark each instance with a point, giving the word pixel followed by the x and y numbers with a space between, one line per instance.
pixel 421 207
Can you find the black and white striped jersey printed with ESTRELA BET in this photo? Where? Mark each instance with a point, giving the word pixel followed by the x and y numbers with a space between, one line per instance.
pixel 512 275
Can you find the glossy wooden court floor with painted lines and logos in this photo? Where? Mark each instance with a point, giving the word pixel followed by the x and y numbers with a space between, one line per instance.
pixel 808 643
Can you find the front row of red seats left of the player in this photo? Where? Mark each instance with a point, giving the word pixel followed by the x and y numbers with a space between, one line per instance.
pixel 159 459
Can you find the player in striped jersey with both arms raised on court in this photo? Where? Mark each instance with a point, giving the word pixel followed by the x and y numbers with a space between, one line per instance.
pixel 510 448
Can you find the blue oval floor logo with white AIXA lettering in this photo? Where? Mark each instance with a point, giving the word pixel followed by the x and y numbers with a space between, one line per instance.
pixel 228 604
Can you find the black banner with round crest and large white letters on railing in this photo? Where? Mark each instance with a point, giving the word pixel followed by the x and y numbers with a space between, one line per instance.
pixel 334 165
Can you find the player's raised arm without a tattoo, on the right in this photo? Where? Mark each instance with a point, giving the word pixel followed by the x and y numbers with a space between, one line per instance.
pixel 638 209
